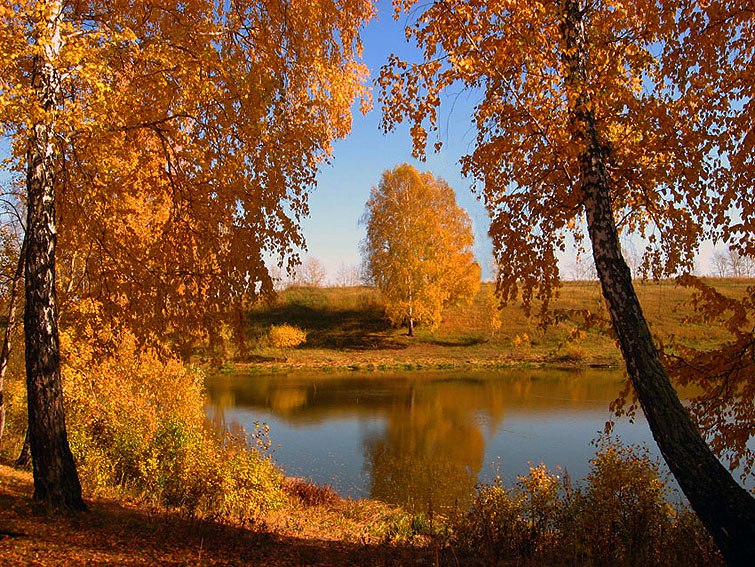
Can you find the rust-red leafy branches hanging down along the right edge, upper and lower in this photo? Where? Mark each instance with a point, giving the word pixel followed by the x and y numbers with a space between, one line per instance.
pixel 711 56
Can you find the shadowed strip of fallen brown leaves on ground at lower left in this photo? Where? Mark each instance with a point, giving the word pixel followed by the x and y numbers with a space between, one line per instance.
pixel 112 534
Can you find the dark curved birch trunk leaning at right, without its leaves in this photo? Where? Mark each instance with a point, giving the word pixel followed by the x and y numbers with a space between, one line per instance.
pixel 726 509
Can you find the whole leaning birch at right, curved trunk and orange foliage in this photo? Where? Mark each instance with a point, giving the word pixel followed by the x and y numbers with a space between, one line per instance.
pixel 582 129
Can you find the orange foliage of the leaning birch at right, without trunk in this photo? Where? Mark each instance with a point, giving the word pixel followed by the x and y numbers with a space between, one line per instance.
pixel 660 116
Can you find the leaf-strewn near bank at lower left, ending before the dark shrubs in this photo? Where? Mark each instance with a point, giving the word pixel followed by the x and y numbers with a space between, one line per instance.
pixel 125 532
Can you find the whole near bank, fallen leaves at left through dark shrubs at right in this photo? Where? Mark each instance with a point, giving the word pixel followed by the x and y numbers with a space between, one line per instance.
pixel 534 524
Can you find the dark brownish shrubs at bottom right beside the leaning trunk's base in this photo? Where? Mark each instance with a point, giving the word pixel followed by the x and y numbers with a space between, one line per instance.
pixel 620 517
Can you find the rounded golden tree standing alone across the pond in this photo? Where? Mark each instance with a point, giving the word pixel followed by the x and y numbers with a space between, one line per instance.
pixel 418 247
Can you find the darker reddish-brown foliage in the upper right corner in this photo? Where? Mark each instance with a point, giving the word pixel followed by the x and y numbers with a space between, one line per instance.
pixel 710 58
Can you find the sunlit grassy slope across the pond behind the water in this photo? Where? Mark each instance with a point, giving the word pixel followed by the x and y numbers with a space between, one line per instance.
pixel 346 328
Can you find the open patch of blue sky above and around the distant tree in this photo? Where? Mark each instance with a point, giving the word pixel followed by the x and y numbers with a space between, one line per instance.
pixel 332 230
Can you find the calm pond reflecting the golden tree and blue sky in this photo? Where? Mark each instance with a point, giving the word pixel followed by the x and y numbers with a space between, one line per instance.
pixel 424 439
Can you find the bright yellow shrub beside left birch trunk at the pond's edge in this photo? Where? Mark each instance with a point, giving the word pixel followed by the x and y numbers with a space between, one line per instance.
pixel 137 424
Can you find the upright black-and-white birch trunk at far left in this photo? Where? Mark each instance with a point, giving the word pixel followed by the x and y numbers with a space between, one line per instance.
pixel 56 482
